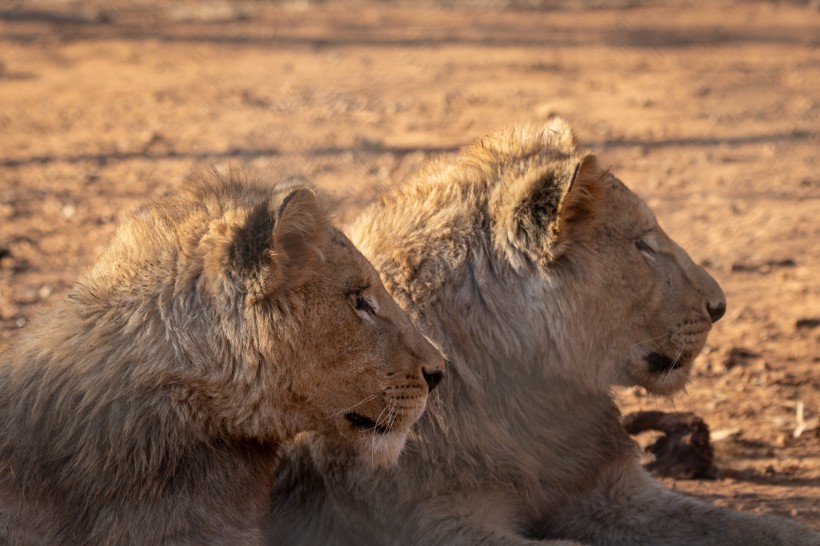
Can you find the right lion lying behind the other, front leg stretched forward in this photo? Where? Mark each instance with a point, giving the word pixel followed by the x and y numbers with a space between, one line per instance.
pixel 546 281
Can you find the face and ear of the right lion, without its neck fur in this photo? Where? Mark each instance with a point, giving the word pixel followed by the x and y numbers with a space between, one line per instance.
pixel 633 297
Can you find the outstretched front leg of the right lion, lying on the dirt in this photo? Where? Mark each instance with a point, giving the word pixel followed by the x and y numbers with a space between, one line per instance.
pixel 628 506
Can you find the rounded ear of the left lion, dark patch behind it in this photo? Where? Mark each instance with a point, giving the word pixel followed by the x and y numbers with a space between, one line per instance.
pixel 278 244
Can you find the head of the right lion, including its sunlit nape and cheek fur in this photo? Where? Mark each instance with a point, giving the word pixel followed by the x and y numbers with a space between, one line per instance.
pixel 552 255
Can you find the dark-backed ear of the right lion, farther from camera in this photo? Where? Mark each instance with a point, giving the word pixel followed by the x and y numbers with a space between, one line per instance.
pixel 535 204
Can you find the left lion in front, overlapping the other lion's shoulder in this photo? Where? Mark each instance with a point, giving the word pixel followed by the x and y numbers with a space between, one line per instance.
pixel 148 406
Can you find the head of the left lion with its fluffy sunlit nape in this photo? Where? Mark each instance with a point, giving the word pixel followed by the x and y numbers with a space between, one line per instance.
pixel 271 322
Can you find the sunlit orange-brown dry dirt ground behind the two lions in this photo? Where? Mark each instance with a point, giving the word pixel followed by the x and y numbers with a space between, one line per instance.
pixel 709 110
